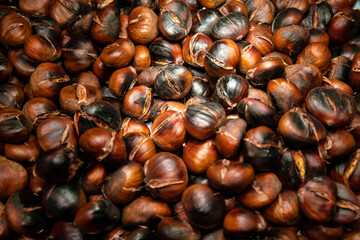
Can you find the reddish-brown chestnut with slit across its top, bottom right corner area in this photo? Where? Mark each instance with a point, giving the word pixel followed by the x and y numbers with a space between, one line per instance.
pixel 317 199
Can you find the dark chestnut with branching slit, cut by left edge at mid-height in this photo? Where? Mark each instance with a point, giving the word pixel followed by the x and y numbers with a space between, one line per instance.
pixel 14 125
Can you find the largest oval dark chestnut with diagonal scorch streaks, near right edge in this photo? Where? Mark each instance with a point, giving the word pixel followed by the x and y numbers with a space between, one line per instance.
pixel 331 106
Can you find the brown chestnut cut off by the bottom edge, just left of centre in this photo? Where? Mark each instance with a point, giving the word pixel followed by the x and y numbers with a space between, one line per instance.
pixel 175 228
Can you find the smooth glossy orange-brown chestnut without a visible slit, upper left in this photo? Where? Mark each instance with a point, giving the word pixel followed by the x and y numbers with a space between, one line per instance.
pixel 118 54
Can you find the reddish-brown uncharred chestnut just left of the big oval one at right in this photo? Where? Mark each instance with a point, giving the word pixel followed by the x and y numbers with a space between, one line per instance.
pixel 283 94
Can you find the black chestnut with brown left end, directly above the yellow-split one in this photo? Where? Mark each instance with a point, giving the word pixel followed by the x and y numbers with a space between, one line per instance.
pixel 300 129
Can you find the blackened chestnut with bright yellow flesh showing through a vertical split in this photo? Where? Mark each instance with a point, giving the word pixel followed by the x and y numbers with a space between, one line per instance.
pixel 298 166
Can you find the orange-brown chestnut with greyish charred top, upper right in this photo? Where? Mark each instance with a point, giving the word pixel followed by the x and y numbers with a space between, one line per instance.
pixel 291 39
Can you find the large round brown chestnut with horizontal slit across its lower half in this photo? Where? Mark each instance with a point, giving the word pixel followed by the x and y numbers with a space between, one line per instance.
pixel 166 176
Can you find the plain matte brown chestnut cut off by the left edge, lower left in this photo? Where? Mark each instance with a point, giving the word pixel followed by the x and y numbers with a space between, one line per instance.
pixel 14 177
